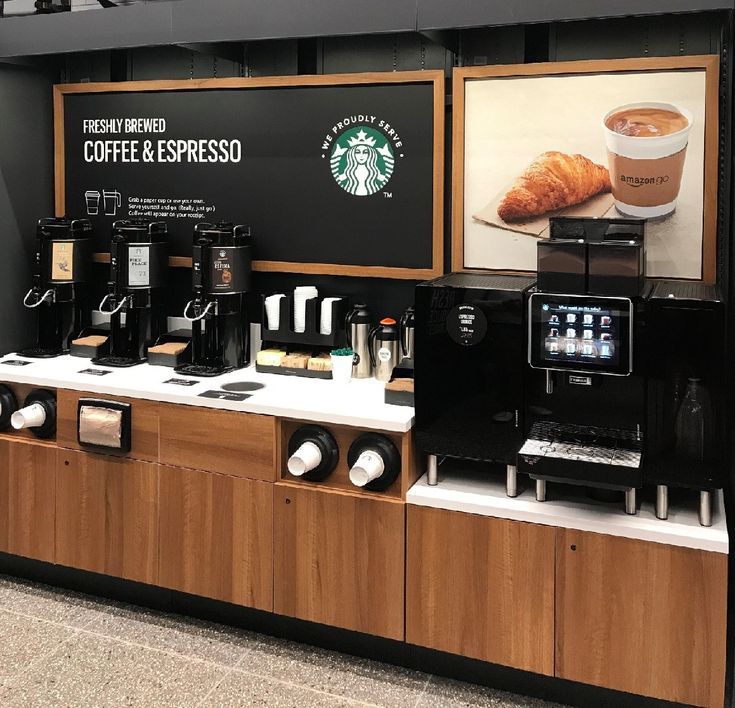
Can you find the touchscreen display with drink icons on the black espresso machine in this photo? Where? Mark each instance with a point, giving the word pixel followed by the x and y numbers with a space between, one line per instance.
pixel 584 333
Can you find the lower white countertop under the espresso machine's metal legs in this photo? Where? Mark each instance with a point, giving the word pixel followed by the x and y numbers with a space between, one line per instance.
pixel 484 493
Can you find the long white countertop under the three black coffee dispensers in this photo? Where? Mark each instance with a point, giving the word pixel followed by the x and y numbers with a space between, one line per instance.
pixel 360 403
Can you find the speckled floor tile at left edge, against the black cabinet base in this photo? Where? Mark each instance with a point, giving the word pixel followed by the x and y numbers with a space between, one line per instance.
pixel 50 604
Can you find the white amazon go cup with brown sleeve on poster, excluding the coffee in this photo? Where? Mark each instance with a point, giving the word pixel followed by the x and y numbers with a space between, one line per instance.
pixel 645 172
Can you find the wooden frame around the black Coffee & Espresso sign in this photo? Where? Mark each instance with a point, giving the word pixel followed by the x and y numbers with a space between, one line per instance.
pixel 436 77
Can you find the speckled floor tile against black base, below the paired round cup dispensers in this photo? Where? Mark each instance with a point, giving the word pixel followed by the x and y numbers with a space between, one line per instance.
pixel 340 674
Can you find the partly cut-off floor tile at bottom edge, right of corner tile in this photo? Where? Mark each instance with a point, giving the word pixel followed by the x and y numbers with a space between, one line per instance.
pixel 240 689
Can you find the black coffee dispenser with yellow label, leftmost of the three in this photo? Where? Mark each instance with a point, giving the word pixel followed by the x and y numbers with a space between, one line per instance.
pixel 60 292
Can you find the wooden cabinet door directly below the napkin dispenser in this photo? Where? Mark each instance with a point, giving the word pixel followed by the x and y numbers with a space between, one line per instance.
pixel 107 515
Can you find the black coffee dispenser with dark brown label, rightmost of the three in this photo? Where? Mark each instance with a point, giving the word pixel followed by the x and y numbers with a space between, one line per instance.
pixel 221 274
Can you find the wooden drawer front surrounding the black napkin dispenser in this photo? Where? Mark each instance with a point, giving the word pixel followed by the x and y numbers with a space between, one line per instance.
pixel 143 423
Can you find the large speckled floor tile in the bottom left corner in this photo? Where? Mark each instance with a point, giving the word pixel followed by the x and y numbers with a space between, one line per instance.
pixel 96 671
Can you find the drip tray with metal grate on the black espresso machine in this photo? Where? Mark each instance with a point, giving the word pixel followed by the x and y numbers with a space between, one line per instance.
pixel 605 457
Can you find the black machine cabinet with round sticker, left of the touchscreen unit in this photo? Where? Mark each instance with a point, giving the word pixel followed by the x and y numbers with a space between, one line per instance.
pixel 469 369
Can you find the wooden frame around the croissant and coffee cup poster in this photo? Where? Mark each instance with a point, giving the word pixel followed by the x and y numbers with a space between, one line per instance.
pixel 710 63
